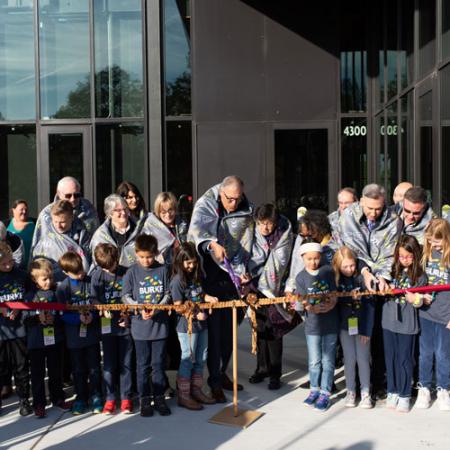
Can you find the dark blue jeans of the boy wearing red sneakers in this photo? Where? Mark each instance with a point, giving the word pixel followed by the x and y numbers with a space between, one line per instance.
pixel 117 354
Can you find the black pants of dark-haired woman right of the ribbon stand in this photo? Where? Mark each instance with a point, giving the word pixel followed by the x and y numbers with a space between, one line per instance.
pixel 270 348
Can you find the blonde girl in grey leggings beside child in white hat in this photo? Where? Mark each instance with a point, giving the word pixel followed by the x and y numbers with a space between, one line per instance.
pixel 356 323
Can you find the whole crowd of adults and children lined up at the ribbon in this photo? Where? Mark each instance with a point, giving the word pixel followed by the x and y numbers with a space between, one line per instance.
pixel 393 346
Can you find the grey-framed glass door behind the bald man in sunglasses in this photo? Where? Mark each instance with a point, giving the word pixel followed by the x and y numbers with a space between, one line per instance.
pixel 65 151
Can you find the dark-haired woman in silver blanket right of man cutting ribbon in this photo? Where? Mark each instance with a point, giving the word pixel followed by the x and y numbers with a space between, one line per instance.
pixel 268 266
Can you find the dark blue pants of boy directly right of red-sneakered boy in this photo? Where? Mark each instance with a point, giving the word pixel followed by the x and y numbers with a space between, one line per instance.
pixel 150 357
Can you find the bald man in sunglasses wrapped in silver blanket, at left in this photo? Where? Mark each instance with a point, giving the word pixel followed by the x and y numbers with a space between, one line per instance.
pixel 68 188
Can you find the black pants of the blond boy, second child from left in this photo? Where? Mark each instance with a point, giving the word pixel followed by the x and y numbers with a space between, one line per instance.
pixel 50 356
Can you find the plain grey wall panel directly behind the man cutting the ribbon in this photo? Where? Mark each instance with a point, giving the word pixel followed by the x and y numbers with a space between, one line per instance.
pixel 232 149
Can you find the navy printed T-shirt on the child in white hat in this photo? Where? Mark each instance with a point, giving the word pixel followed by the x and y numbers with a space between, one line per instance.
pixel 323 282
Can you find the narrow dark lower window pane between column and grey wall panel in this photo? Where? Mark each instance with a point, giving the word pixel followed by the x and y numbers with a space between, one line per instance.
pixel 179 157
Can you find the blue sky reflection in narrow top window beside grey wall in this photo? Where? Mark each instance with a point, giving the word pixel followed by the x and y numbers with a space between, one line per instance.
pixel 176 42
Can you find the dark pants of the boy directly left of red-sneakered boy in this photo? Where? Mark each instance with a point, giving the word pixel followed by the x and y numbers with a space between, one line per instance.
pixel 86 366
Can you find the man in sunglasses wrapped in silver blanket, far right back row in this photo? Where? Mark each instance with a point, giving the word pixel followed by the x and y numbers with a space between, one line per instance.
pixel 415 212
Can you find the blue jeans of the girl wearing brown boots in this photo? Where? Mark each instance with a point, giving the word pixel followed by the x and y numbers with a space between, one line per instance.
pixel 191 364
